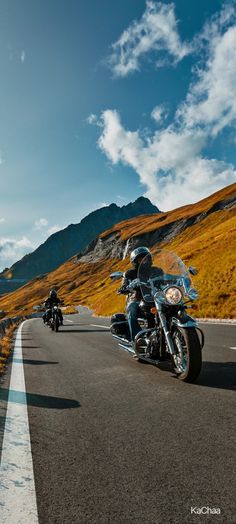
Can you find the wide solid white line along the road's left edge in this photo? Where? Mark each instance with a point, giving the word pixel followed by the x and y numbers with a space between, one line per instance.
pixel 17 487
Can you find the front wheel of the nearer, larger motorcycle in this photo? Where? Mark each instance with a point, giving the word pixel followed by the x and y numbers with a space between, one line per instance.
pixel 188 359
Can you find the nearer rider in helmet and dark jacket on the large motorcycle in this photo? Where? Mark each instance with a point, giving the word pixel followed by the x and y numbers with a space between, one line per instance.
pixel 134 296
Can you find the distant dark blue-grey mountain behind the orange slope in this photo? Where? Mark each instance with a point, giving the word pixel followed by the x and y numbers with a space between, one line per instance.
pixel 62 245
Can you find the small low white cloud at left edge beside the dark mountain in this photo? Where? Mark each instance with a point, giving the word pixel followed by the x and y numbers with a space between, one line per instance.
pixel 12 250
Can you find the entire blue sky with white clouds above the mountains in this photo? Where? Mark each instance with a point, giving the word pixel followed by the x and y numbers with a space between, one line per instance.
pixel 104 101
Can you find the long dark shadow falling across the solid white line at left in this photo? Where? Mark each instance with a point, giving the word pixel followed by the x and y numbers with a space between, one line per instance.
pixel 39 401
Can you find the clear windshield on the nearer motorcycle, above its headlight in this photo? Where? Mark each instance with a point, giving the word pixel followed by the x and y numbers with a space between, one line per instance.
pixel 165 268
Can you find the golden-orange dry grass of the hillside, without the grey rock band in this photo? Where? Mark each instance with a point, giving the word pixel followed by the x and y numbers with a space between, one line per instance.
pixel 210 245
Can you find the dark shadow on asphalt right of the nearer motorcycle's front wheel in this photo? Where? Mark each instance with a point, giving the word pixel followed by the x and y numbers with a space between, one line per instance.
pixel 218 375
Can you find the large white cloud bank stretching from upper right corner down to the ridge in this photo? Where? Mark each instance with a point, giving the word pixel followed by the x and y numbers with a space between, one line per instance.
pixel 170 162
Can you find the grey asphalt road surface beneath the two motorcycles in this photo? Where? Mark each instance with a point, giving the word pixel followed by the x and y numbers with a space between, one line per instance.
pixel 116 441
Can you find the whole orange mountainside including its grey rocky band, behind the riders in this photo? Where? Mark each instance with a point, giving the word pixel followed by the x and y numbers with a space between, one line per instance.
pixel 202 234
